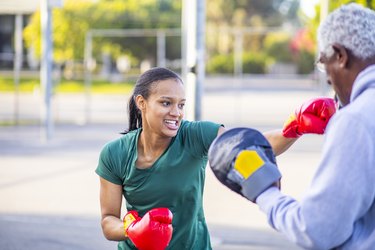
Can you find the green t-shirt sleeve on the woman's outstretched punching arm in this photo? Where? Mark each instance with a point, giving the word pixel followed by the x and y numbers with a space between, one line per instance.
pixel 201 135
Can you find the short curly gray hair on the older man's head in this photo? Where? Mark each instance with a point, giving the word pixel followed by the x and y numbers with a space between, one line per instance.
pixel 352 26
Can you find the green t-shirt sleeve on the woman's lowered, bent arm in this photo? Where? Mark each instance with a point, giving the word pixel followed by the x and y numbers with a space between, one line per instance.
pixel 107 166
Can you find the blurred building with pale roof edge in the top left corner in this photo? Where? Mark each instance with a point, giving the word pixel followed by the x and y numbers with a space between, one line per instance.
pixel 14 16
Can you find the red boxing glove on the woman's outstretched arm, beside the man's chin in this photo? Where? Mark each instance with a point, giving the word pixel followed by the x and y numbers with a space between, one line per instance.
pixel 312 117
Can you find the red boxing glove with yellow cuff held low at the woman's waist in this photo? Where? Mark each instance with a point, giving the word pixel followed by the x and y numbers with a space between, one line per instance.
pixel 151 232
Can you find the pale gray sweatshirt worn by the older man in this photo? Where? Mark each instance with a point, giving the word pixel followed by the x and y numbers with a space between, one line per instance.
pixel 338 209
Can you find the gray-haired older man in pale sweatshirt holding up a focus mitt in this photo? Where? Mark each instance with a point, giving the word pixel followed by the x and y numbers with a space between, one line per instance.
pixel 338 210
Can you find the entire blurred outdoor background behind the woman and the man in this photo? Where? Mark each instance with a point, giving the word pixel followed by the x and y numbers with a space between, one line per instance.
pixel 67 68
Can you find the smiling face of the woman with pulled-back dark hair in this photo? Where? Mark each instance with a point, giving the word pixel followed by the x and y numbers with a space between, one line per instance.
pixel 163 111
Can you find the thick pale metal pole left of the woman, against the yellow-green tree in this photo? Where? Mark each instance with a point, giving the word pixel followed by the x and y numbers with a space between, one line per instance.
pixel 46 67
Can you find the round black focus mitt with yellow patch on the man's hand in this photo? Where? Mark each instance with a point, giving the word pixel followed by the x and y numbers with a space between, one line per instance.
pixel 242 159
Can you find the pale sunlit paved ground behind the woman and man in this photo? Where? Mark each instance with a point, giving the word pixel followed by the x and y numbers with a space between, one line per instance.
pixel 49 191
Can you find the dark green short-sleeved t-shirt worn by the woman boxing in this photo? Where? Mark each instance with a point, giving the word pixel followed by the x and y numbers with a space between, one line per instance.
pixel 175 180
